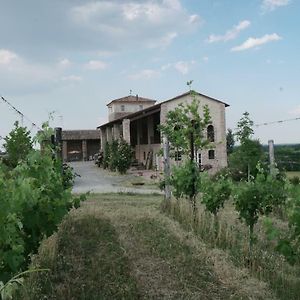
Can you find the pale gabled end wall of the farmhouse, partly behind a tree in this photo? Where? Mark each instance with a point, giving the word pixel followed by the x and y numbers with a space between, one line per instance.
pixel 217 112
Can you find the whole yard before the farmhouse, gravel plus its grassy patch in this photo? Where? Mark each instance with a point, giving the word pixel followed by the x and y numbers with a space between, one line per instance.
pixel 96 180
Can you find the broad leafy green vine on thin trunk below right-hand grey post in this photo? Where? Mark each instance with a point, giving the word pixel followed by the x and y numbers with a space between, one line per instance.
pixel 258 197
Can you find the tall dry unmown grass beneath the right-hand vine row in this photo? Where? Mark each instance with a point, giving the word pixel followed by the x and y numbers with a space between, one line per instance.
pixel 229 234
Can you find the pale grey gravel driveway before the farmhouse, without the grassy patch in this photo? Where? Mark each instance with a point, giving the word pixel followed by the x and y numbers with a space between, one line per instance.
pixel 96 180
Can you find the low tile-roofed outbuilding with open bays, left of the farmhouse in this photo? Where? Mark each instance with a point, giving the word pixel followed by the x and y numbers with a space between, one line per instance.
pixel 80 144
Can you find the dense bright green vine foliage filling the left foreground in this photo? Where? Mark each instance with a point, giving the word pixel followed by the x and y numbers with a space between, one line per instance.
pixel 34 200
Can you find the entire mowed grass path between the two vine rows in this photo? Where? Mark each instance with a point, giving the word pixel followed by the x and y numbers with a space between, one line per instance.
pixel 123 247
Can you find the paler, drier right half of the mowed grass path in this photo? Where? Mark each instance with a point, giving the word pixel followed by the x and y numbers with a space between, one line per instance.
pixel 170 263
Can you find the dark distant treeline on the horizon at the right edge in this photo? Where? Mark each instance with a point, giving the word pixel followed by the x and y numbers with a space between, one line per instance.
pixel 287 157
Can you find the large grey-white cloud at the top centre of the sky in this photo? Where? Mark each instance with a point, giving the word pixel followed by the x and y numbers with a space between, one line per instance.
pixel 119 24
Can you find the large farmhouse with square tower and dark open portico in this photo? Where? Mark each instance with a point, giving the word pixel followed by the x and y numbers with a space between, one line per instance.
pixel 136 120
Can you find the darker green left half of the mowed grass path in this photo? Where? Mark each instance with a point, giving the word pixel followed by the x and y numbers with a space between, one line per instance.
pixel 88 263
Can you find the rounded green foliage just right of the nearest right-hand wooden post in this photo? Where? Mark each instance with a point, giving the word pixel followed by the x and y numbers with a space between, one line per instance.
pixel 183 179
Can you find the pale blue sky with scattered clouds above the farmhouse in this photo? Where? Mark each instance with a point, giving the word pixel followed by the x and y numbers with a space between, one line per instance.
pixel 69 58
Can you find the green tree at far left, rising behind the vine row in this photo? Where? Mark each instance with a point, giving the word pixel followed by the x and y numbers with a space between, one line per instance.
pixel 17 145
